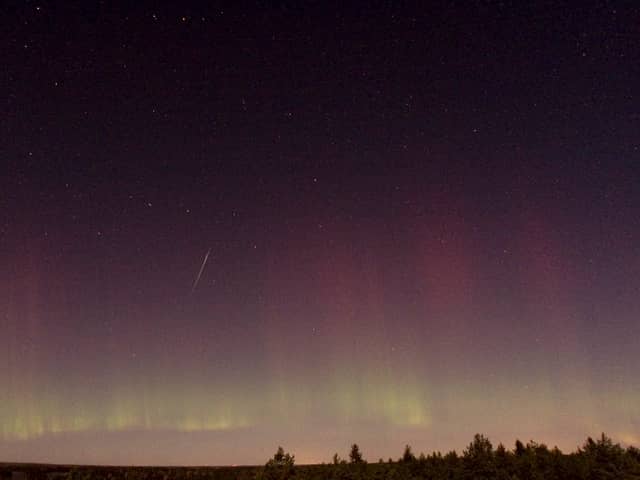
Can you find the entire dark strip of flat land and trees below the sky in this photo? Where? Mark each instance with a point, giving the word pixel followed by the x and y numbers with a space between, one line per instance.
pixel 595 460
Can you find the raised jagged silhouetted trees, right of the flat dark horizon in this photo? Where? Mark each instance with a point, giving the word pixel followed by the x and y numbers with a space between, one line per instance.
pixel 599 459
